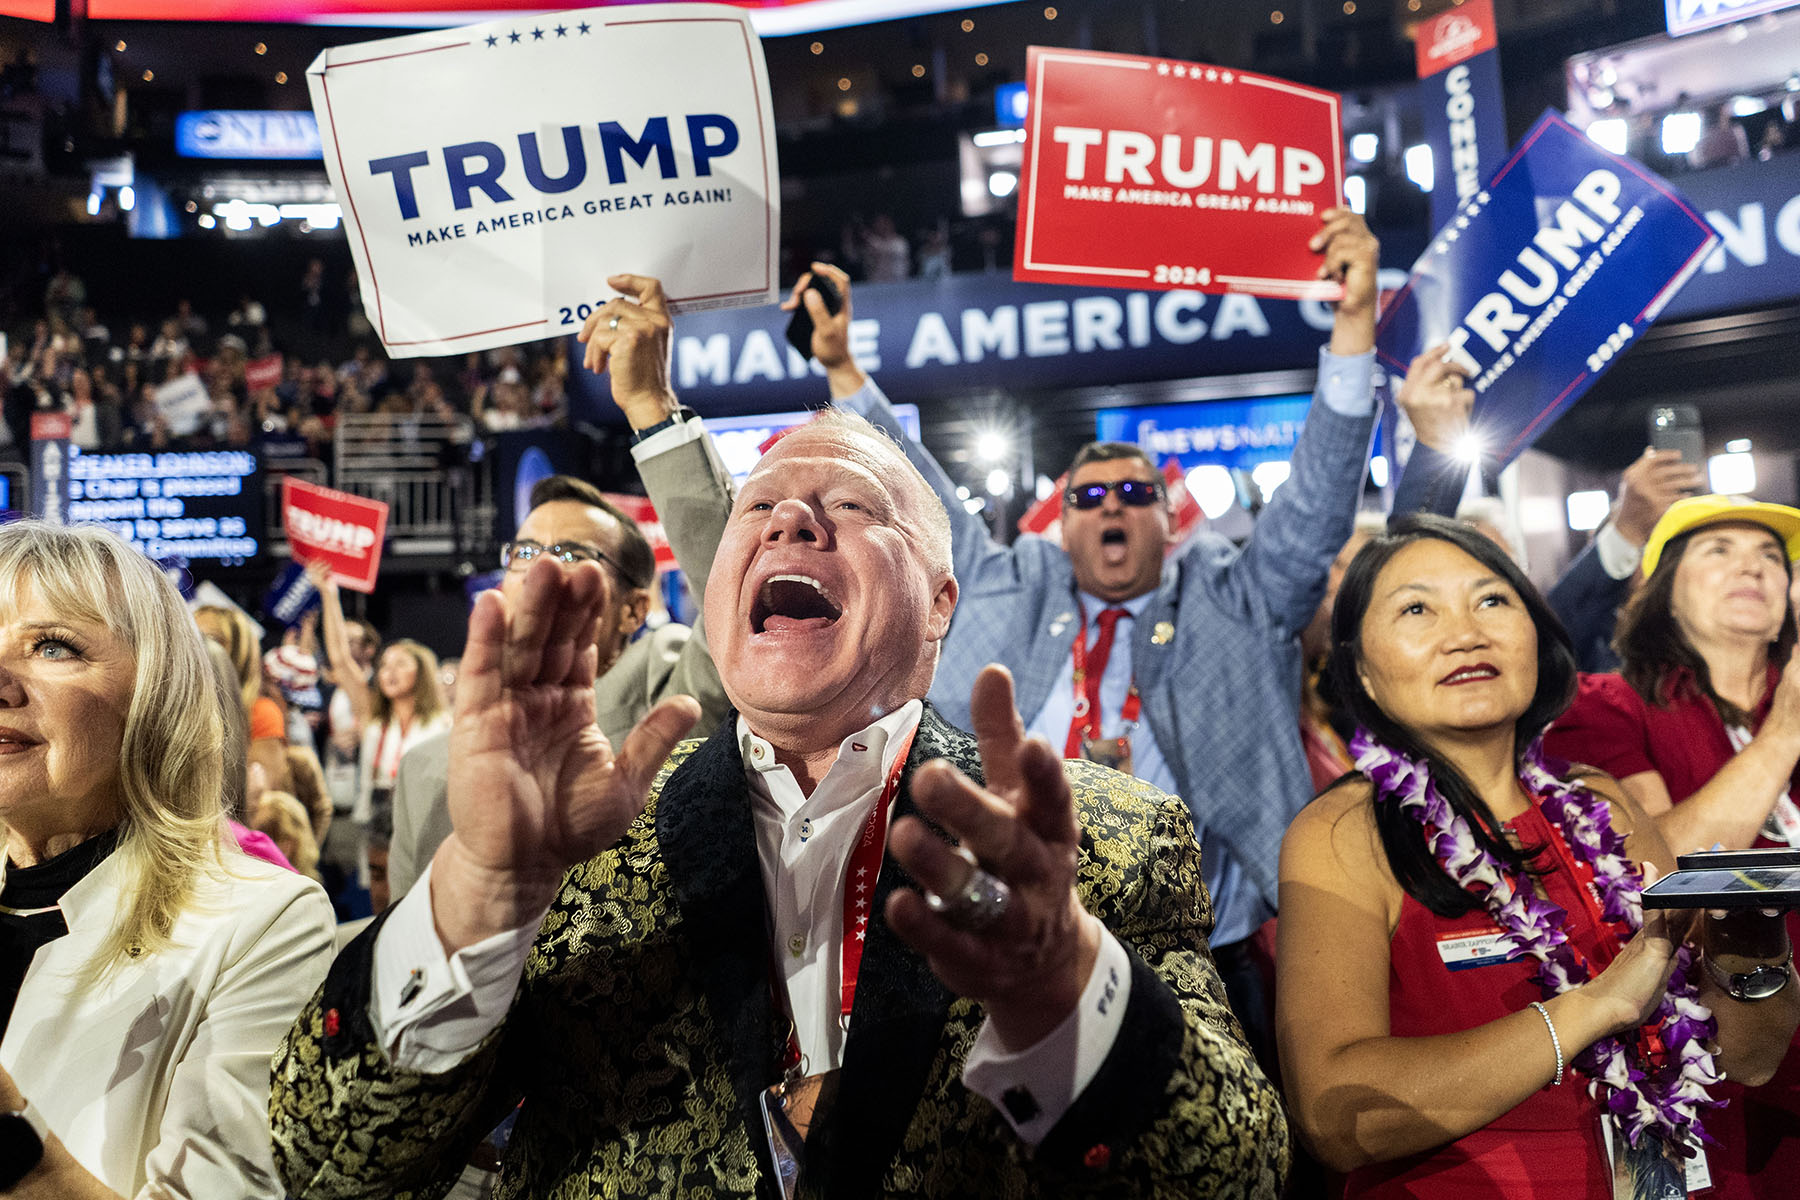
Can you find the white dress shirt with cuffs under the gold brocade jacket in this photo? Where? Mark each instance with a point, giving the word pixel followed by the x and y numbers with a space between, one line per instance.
pixel 433 1010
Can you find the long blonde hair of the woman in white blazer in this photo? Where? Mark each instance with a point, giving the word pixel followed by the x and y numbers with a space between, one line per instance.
pixel 172 821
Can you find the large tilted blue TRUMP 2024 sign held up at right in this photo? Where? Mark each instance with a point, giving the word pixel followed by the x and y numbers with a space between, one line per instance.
pixel 1545 278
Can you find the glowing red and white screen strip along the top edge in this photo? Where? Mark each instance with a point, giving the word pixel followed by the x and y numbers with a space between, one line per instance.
pixel 771 17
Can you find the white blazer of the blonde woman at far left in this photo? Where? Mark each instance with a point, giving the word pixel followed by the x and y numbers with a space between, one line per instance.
pixel 157 1080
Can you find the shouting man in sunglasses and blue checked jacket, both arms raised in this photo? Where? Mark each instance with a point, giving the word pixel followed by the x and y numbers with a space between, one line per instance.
pixel 1182 672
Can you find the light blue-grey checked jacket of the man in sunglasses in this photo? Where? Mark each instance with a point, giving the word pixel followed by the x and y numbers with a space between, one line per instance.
pixel 1216 654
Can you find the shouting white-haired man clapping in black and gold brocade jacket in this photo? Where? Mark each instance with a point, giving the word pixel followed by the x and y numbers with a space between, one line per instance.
pixel 989 967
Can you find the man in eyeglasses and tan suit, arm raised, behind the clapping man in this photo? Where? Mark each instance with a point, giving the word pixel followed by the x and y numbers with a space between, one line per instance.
pixel 573 523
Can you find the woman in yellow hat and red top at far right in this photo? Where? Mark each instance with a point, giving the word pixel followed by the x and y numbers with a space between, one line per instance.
pixel 1702 728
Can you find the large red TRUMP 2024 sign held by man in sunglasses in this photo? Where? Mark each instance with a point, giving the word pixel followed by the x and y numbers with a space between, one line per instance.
pixel 1153 174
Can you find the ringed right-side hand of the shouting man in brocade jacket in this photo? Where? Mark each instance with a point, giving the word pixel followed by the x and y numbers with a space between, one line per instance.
pixel 1029 969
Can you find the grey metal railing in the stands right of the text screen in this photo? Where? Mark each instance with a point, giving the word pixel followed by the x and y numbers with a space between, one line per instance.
pixel 438 503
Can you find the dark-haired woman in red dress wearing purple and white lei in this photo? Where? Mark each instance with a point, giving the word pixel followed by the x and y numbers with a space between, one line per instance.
pixel 1468 1007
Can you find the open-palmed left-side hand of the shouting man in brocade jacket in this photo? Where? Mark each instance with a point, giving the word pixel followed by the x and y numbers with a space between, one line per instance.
pixel 534 784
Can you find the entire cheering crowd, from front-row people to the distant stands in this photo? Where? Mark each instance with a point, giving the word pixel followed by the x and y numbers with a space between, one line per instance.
pixel 1311 861
